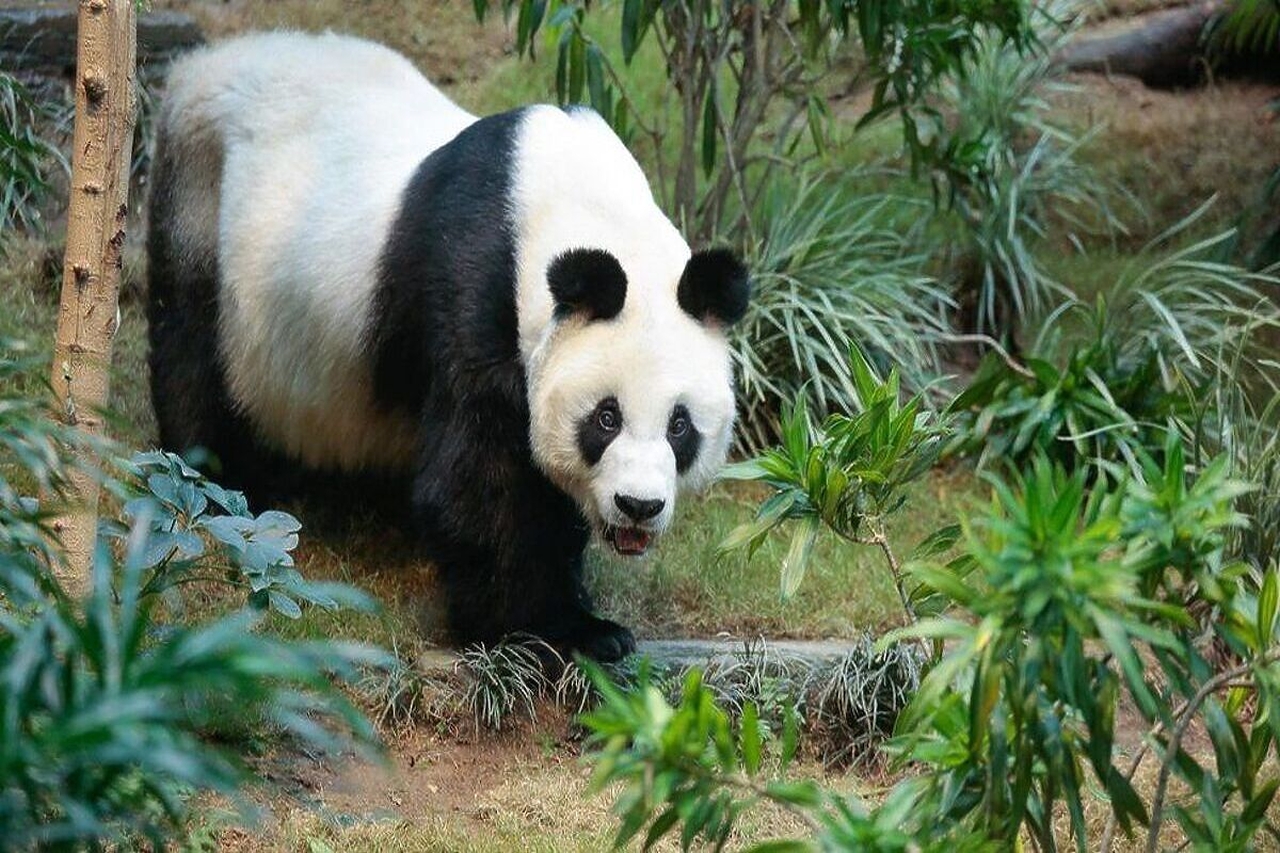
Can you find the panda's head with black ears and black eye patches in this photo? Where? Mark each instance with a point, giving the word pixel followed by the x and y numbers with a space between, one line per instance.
pixel 632 390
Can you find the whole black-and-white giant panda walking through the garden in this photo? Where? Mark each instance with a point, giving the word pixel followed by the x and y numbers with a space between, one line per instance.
pixel 355 280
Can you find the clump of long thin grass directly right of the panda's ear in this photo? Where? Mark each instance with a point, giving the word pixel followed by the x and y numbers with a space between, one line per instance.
pixel 831 270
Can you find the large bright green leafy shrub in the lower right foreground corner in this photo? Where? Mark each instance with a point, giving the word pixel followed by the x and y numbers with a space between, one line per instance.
pixel 1057 569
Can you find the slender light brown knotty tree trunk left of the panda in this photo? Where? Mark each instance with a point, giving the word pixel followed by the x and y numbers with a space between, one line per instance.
pixel 88 314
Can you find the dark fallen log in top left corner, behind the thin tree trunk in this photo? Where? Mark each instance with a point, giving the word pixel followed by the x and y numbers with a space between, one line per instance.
pixel 43 39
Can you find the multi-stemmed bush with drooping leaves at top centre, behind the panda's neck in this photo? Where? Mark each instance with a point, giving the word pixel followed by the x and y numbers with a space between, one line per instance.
pixel 737 66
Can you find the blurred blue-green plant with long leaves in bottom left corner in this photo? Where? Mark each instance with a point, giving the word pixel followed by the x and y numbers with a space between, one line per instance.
pixel 102 723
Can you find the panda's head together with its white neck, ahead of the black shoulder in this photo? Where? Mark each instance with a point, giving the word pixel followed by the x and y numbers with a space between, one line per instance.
pixel 623 331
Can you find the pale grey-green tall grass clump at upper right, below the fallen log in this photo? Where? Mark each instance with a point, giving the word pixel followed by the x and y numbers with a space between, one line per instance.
pixel 1018 181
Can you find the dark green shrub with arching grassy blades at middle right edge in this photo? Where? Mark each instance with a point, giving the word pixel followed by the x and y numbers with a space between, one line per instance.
pixel 1174 330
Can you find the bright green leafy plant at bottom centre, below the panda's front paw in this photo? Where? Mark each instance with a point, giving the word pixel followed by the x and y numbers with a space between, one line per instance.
pixel 688 768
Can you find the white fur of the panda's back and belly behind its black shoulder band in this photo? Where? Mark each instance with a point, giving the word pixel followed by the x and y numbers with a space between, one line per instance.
pixel 316 139
